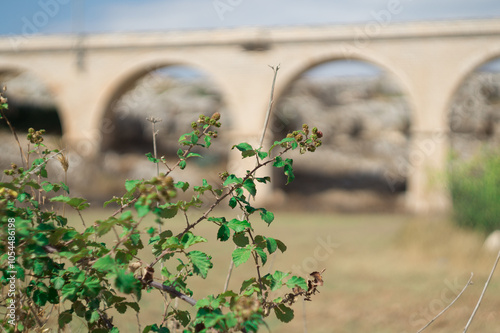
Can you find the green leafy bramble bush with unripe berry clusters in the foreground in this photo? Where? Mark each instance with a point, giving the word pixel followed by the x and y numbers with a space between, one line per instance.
pixel 46 262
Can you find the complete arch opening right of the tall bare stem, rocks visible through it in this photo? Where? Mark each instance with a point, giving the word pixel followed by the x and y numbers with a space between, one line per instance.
pixel 372 173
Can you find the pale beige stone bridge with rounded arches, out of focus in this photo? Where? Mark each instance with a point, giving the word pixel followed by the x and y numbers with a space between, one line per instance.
pixel 429 59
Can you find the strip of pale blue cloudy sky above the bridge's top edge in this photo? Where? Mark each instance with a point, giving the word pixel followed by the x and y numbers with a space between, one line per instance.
pixel 95 16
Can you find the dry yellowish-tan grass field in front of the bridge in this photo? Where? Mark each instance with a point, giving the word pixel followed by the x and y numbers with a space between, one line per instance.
pixel 386 273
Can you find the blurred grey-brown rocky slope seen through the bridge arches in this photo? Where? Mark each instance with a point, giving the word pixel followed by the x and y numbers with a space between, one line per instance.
pixel 365 121
